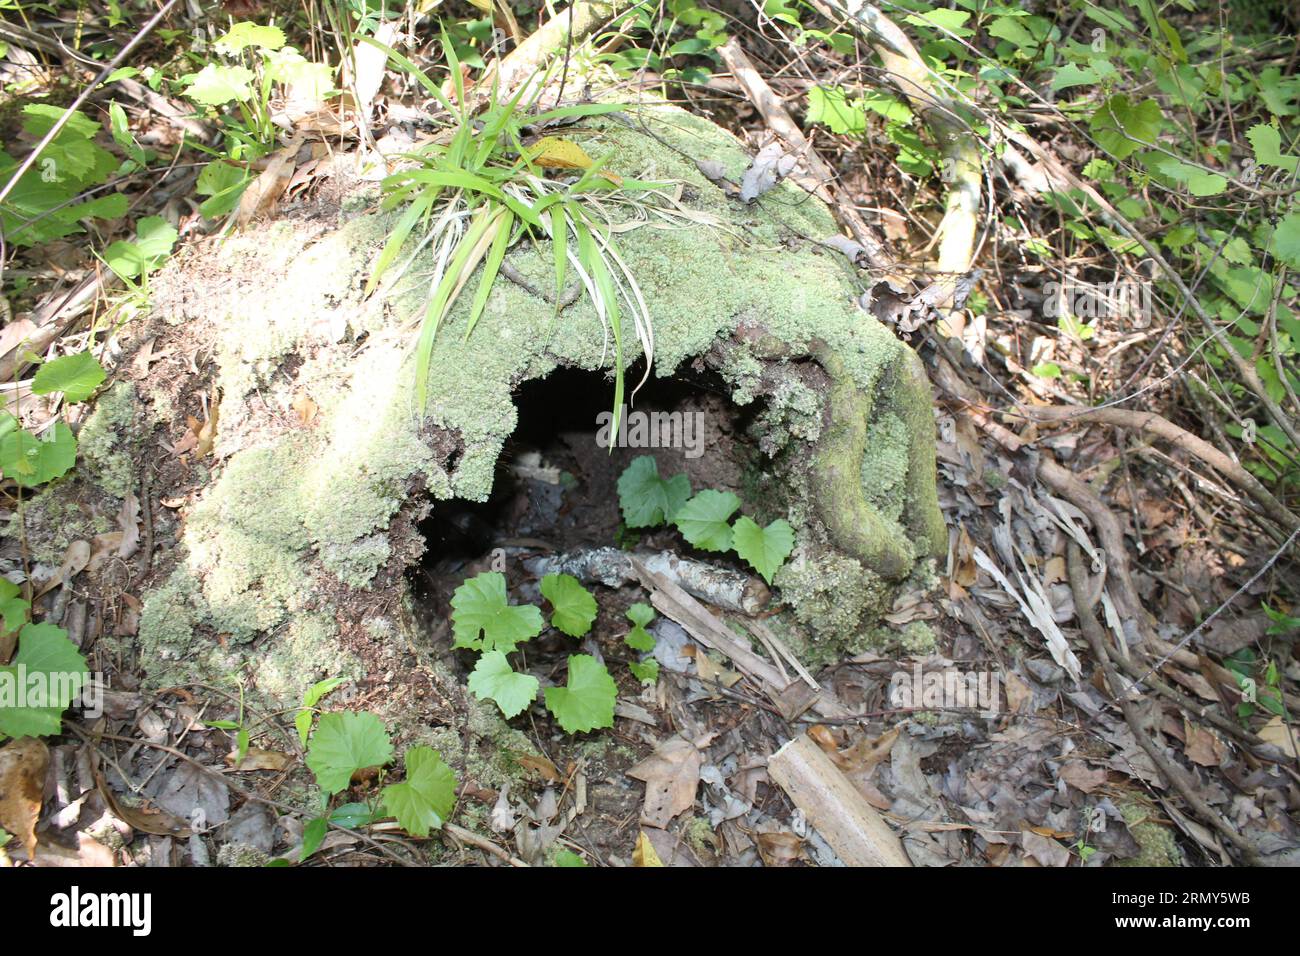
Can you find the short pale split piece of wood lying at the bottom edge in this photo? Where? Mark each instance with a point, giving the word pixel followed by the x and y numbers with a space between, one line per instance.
pixel 853 828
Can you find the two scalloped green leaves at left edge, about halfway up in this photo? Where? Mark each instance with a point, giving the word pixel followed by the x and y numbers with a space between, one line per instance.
pixel 31 460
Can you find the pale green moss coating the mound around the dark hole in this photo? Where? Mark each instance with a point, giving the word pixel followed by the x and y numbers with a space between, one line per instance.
pixel 293 503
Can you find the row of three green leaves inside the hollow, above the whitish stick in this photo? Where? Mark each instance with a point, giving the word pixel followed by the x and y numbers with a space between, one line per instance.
pixel 705 521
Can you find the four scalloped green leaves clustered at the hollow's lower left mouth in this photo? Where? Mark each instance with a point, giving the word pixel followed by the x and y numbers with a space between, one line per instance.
pixel 483 620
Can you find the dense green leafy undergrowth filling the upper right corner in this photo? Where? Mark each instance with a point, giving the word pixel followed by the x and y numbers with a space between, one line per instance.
pixel 1152 96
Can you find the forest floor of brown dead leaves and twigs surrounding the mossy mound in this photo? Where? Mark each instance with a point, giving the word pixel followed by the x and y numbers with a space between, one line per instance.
pixel 1104 518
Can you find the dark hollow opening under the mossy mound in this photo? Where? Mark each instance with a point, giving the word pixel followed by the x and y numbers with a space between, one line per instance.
pixel 556 486
